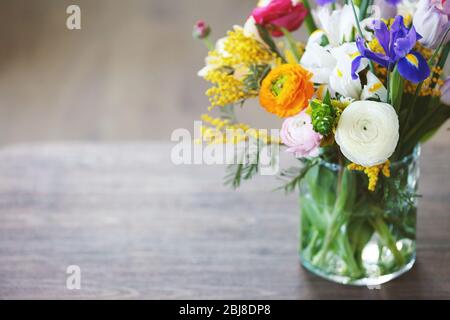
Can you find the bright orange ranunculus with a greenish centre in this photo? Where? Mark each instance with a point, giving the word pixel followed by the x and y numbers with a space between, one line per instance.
pixel 286 90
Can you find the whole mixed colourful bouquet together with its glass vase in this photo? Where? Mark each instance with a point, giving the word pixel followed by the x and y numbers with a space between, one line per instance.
pixel 356 101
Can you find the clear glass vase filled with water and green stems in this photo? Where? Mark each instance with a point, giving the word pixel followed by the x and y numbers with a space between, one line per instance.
pixel 351 235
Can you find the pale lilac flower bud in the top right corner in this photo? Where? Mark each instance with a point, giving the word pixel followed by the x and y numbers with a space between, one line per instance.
pixel 431 20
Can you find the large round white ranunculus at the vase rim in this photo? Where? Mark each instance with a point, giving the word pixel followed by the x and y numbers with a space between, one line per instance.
pixel 367 132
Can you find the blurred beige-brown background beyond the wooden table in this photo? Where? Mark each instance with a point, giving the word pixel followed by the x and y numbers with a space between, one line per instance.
pixel 129 74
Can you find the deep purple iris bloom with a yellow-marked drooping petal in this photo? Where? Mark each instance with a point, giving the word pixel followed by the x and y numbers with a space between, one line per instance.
pixel 397 43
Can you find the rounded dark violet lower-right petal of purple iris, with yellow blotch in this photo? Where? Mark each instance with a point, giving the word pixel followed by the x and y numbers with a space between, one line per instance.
pixel 413 67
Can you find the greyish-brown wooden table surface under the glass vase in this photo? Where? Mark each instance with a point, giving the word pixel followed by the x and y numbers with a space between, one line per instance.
pixel 142 228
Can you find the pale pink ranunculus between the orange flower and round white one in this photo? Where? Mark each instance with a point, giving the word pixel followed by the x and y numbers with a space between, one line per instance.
pixel 298 134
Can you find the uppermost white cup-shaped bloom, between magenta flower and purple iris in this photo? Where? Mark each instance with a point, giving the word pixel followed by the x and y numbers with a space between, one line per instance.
pixel 338 24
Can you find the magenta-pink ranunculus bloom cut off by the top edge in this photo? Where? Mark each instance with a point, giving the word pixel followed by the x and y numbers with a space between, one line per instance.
pixel 276 14
